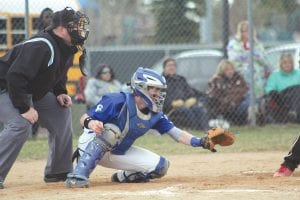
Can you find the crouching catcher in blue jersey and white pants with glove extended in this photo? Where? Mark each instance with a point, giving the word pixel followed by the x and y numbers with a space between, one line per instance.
pixel 112 126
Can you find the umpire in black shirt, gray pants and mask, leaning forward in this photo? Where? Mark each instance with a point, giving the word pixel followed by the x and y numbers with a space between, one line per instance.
pixel 33 78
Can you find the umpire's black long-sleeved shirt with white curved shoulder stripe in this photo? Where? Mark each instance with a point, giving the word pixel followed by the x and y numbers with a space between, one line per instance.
pixel 25 74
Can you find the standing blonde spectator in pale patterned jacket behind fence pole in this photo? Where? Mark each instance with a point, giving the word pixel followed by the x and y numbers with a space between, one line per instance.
pixel 238 51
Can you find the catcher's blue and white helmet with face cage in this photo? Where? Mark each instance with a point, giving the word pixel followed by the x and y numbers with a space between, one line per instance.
pixel 144 78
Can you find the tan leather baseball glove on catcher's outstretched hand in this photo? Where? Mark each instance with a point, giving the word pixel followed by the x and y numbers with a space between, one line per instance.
pixel 218 136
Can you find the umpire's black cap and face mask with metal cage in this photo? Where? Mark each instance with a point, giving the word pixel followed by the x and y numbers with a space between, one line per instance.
pixel 75 22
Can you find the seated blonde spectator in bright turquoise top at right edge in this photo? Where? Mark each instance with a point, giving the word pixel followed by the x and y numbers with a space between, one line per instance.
pixel 283 91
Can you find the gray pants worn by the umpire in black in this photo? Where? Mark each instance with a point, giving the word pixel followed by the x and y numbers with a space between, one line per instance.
pixel 52 116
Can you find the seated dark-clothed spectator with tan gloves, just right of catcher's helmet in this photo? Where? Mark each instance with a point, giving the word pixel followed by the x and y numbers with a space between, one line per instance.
pixel 181 104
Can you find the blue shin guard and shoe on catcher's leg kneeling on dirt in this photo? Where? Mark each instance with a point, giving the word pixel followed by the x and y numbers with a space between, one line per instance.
pixel 138 177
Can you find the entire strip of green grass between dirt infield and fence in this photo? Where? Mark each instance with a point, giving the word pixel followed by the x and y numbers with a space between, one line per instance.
pixel 248 139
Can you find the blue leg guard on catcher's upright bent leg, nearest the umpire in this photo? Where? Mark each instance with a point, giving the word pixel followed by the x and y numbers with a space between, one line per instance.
pixel 92 154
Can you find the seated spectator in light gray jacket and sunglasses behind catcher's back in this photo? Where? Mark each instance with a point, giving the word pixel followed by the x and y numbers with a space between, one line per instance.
pixel 102 83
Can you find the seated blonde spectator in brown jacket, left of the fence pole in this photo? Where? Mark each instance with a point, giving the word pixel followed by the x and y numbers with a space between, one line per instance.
pixel 227 91
